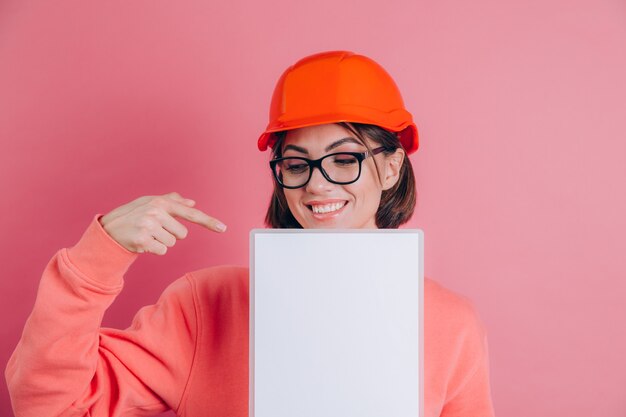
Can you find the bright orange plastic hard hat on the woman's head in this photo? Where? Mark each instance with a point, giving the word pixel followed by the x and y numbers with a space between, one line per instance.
pixel 338 86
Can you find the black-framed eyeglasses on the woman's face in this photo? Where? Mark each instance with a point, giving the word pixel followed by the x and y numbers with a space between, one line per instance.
pixel 339 168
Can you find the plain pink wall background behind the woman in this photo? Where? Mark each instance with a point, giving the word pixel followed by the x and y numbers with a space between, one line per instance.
pixel 521 171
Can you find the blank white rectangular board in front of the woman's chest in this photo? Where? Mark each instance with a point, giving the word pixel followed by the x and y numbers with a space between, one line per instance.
pixel 336 319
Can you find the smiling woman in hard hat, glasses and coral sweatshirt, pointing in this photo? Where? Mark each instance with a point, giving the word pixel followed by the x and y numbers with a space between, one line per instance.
pixel 340 135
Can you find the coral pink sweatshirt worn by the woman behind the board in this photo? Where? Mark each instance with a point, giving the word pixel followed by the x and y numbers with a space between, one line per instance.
pixel 189 351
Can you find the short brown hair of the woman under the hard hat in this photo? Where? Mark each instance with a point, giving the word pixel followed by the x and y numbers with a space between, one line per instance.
pixel 396 204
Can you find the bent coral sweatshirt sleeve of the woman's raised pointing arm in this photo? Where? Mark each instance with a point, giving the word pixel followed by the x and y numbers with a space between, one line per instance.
pixel 65 364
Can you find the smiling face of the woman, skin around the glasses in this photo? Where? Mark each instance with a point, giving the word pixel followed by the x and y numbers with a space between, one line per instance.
pixel 321 204
